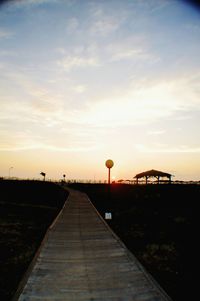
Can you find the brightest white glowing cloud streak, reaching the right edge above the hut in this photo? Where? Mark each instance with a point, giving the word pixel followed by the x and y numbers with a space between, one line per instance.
pixel 142 103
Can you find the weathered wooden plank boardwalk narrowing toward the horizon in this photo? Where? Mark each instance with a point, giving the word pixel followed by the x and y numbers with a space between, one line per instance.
pixel 81 259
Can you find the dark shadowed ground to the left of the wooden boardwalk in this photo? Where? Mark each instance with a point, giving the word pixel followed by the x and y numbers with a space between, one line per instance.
pixel 27 208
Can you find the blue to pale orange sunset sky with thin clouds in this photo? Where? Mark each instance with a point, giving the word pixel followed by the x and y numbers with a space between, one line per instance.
pixel 83 81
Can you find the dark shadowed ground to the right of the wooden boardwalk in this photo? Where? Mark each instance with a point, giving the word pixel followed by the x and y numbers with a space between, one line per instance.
pixel 158 223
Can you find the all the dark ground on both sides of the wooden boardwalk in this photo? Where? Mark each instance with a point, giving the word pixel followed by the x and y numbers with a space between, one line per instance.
pixel 158 223
